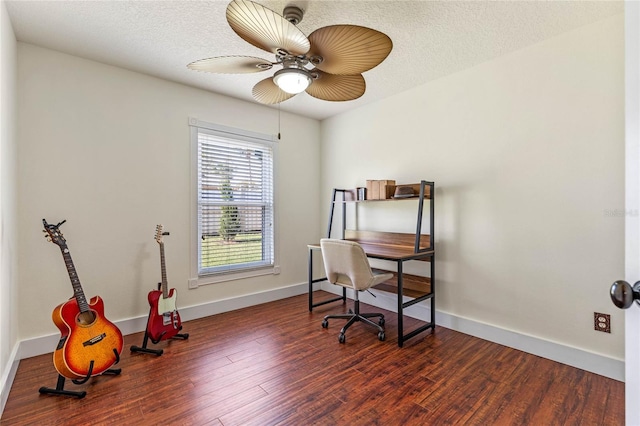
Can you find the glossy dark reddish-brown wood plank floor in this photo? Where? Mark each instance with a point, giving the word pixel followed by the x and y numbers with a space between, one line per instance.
pixel 274 364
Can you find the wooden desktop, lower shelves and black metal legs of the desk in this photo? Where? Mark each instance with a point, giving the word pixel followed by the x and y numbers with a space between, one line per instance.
pixel 416 287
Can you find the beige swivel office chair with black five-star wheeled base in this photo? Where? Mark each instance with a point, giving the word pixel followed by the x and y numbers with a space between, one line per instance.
pixel 347 265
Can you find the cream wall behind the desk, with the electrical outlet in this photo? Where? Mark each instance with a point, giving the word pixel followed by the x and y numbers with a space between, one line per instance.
pixel 527 153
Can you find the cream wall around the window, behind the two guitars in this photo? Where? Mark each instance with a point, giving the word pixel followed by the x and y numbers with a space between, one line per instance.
pixel 108 150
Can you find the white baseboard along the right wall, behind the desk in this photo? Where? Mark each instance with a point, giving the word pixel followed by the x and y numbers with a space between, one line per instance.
pixel 575 357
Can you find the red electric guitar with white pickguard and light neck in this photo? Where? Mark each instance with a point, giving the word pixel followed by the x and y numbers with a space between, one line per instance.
pixel 164 319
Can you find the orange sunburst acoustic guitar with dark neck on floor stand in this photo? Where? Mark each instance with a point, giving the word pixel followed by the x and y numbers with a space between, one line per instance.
pixel 89 344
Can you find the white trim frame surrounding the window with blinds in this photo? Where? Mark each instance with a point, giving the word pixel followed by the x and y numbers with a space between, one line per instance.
pixel 210 277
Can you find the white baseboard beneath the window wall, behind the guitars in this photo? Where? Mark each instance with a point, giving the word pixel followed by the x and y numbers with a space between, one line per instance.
pixel 45 344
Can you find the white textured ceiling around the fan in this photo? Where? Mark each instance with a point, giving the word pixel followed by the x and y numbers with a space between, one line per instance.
pixel 431 38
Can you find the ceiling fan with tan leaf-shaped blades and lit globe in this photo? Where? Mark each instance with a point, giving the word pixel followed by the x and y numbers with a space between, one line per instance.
pixel 327 65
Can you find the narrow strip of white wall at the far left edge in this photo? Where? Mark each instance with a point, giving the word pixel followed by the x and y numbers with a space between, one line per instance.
pixel 8 205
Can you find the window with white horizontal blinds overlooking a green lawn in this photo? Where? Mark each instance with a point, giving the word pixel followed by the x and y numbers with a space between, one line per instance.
pixel 234 199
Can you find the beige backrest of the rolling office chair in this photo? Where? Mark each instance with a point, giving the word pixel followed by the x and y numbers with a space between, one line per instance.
pixel 346 264
